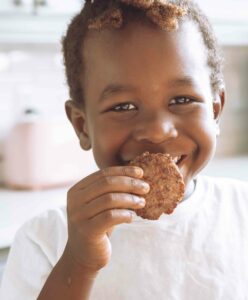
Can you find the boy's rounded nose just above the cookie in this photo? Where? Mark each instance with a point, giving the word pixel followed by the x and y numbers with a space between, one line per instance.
pixel 157 128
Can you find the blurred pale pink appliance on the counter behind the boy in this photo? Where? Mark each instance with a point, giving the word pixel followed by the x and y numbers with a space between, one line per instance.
pixel 41 153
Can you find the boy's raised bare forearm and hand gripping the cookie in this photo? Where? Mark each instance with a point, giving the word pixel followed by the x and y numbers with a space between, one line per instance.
pixel 94 206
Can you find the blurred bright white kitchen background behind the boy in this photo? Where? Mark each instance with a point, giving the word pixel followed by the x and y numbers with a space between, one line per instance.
pixel 39 154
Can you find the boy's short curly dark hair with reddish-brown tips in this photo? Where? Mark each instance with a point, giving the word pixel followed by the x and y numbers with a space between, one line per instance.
pixel 166 14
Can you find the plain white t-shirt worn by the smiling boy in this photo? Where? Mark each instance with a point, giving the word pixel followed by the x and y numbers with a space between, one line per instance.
pixel 198 252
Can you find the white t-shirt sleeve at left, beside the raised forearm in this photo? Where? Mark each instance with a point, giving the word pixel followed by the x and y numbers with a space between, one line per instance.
pixel 37 247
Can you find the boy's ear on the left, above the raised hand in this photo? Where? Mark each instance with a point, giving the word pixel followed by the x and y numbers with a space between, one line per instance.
pixel 76 115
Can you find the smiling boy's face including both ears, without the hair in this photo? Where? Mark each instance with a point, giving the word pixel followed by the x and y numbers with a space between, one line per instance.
pixel 148 90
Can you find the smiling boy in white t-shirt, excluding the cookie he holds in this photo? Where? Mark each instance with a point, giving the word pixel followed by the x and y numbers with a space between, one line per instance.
pixel 144 75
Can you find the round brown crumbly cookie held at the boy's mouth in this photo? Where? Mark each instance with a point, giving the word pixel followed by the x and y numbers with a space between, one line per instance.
pixel 166 184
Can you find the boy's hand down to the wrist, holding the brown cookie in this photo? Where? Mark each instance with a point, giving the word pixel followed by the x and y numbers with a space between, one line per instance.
pixel 96 204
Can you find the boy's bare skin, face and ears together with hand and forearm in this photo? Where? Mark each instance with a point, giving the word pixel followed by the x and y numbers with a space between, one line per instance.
pixel 157 98
